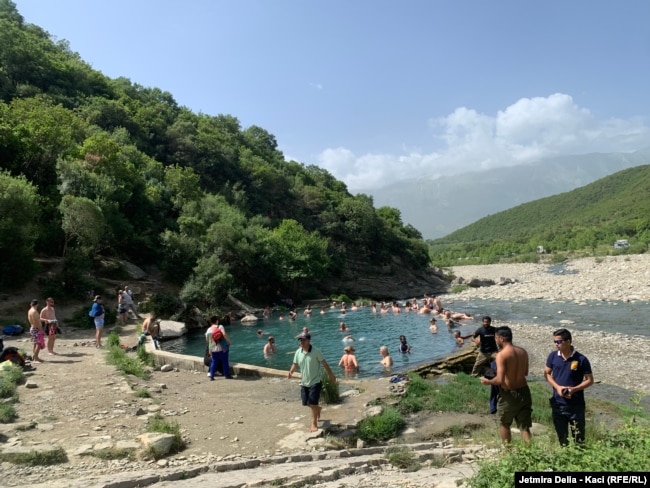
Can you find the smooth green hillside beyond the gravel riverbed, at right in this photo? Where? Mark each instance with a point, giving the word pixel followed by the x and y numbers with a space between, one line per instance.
pixel 590 219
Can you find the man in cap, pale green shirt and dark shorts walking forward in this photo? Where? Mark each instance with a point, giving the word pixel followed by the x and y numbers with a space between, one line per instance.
pixel 310 361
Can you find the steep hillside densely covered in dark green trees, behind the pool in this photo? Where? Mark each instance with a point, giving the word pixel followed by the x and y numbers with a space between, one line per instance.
pixel 93 166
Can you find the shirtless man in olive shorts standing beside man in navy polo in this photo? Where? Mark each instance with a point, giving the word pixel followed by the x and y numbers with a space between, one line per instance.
pixel 515 402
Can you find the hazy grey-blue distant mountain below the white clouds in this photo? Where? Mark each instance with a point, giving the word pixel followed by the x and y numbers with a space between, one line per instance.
pixel 437 207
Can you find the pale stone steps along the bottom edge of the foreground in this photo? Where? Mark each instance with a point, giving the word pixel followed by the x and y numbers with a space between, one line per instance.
pixel 367 467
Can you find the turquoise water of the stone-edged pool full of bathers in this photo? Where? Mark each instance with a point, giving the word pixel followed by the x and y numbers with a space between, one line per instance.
pixel 370 331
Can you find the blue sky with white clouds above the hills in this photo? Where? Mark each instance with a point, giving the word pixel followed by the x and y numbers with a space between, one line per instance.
pixel 379 91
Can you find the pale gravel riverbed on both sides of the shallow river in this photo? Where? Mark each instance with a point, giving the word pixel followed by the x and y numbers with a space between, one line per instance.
pixel 617 359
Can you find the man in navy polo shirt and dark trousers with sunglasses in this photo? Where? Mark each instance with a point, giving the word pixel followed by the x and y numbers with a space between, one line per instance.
pixel 569 373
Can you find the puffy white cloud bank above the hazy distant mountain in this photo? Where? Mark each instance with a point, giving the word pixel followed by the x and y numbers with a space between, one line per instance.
pixel 527 130
